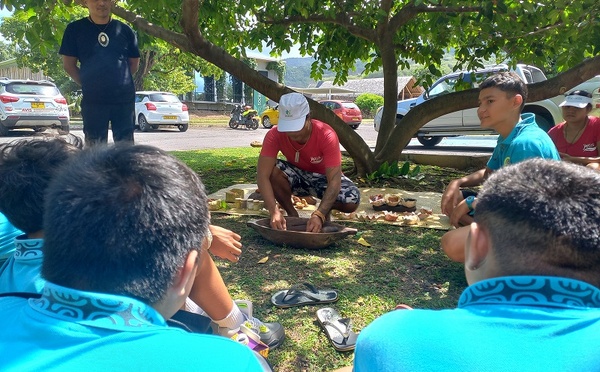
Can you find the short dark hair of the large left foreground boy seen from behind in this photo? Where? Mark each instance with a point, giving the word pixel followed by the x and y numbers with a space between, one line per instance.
pixel 122 220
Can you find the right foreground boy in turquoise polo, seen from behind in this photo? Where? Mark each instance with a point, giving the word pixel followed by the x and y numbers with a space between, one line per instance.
pixel 533 265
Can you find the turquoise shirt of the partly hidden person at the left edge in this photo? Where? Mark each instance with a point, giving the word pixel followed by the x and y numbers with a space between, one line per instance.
pixel 22 272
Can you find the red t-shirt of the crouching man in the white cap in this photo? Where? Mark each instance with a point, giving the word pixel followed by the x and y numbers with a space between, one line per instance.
pixel 322 150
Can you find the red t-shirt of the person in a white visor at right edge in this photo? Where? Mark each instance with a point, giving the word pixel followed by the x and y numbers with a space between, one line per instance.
pixel 586 145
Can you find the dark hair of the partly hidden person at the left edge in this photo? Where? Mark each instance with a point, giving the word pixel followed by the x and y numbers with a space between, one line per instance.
pixel 26 168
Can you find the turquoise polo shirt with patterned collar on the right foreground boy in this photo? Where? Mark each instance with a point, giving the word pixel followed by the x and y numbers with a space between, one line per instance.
pixel 517 323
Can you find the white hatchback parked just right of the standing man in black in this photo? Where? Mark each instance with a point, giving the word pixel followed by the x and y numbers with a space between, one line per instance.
pixel 153 109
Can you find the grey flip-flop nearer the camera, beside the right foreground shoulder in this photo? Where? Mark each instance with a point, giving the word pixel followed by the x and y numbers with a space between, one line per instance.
pixel 338 329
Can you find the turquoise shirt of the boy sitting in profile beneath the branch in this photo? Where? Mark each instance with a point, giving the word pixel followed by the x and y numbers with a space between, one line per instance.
pixel 526 140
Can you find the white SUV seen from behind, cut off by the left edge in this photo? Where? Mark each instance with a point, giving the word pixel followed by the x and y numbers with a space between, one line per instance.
pixel 32 104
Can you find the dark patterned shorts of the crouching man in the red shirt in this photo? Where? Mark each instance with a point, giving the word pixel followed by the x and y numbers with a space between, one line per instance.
pixel 305 183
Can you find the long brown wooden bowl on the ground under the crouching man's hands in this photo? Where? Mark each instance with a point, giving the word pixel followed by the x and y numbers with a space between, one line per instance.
pixel 296 236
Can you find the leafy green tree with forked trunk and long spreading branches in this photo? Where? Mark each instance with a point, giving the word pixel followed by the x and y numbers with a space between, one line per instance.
pixel 562 37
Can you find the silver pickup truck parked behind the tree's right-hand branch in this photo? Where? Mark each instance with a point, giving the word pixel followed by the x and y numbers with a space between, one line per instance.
pixel 465 122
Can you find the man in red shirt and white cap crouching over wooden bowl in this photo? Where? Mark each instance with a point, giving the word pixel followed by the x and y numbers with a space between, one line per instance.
pixel 313 166
